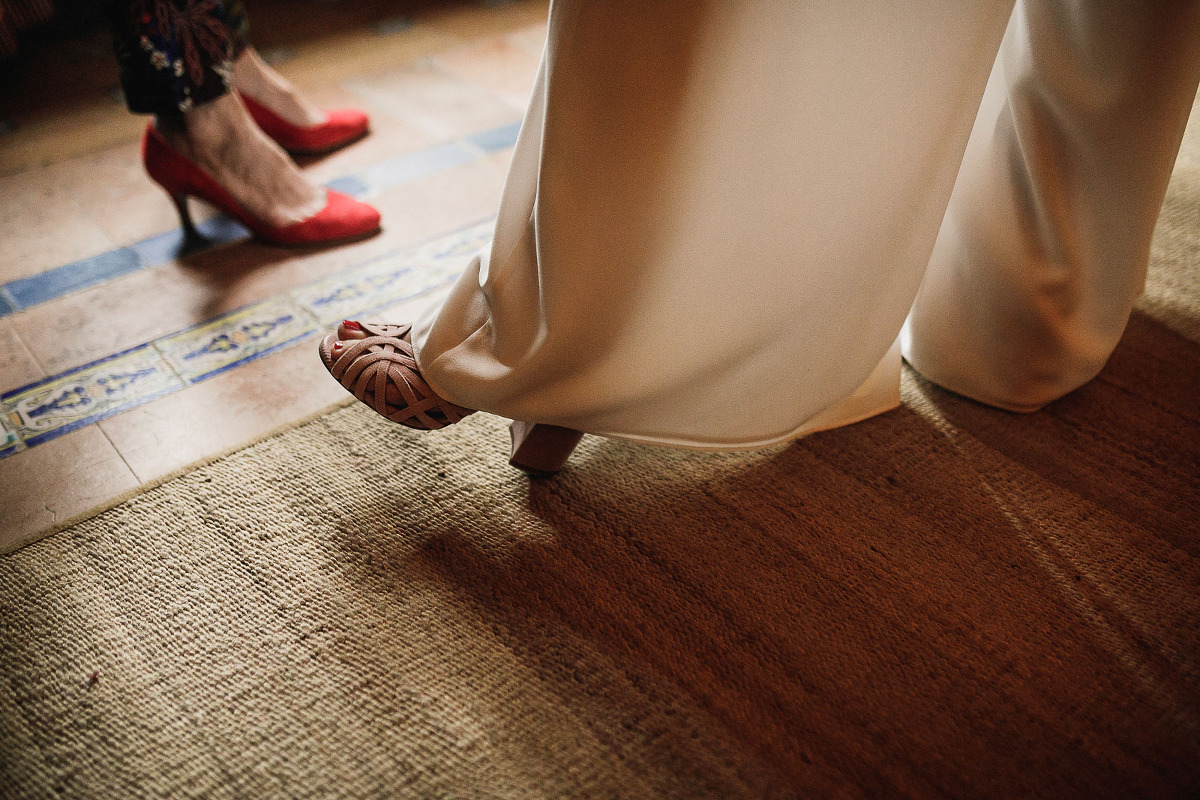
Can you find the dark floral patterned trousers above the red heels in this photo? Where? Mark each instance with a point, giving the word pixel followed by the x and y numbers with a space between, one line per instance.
pixel 175 55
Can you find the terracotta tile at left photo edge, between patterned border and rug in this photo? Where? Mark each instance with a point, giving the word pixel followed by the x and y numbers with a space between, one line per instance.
pixel 58 480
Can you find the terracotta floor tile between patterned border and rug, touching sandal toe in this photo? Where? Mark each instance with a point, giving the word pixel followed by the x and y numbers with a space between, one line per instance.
pixel 224 412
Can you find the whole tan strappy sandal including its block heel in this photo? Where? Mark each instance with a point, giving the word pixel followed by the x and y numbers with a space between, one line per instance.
pixel 369 366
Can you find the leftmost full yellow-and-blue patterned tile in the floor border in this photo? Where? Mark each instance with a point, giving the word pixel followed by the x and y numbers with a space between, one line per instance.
pixel 63 404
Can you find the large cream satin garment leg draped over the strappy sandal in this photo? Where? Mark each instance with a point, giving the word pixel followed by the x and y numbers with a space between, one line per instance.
pixel 717 218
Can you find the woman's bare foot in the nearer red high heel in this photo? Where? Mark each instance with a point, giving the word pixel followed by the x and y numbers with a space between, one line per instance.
pixel 221 139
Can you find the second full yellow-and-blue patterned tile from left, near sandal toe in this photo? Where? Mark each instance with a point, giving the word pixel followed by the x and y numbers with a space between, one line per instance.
pixel 233 339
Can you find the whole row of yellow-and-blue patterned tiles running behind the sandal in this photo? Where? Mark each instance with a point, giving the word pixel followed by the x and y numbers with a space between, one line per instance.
pixel 59 405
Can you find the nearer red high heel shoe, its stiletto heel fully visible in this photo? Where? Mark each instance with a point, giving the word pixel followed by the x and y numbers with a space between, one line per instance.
pixel 343 220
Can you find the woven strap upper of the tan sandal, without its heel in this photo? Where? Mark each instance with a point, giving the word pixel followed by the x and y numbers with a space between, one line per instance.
pixel 368 368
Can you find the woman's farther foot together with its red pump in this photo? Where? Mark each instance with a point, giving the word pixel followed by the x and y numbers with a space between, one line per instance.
pixel 287 117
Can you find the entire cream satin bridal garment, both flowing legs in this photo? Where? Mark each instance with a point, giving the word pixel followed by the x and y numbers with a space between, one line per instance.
pixel 719 215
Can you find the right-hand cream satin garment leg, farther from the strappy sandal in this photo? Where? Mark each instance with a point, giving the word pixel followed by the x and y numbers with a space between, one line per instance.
pixel 1047 238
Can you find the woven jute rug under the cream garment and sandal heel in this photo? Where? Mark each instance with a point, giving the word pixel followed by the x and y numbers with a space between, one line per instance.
pixel 944 601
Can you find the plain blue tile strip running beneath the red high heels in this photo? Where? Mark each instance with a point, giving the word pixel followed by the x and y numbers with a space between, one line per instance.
pixel 85 274
